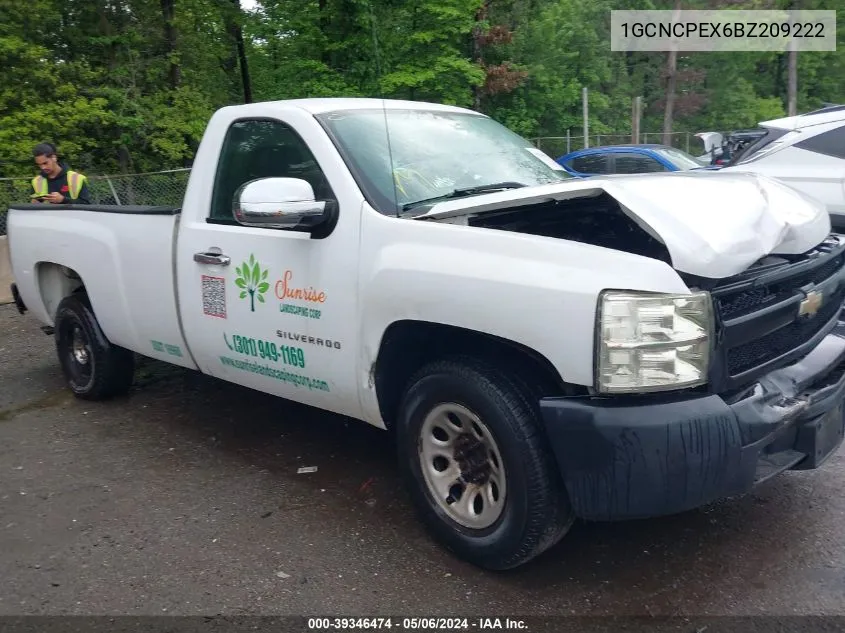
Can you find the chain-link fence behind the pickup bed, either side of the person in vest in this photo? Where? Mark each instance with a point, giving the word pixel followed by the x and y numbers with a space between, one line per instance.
pixel 163 188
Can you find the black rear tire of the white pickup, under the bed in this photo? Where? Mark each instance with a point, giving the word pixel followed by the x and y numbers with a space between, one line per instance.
pixel 102 370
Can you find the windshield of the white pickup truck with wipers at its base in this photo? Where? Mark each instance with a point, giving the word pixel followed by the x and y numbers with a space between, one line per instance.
pixel 433 154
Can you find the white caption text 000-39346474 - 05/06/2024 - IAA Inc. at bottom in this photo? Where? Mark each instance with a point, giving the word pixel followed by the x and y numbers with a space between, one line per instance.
pixel 416 624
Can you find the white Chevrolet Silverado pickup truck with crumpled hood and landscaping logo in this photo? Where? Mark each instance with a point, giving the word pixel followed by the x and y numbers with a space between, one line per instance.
pixel 543 348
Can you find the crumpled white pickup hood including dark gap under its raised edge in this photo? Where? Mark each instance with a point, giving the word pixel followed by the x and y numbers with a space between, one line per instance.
pixel 710 224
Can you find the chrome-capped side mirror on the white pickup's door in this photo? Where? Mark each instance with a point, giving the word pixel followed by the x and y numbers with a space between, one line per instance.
pixel 281 203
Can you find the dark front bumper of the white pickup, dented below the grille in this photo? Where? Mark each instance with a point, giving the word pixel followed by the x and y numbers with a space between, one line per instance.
pixel 626 459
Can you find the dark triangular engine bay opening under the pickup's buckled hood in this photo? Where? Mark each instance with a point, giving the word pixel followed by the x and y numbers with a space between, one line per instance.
pixel 596 220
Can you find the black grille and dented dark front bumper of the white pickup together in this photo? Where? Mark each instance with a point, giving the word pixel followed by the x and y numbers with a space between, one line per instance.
pixel 772 401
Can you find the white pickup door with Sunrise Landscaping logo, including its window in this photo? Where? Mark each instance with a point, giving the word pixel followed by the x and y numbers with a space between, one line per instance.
pixel 270 309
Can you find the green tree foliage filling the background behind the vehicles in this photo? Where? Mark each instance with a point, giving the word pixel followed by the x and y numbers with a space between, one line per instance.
pixel 128 85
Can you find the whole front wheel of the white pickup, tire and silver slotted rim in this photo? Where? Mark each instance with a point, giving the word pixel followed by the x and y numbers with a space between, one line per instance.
pixel 473 455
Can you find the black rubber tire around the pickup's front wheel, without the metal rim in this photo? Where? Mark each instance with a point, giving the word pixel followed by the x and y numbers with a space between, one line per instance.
pixel 536 512
